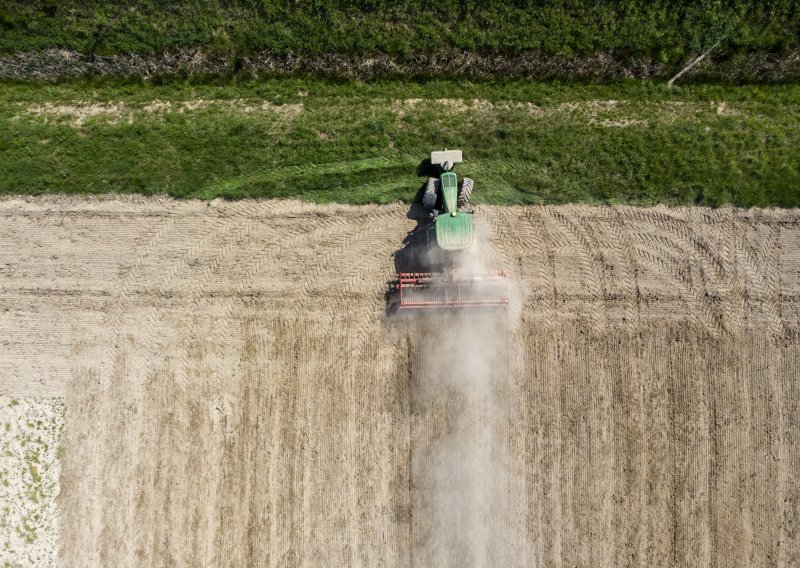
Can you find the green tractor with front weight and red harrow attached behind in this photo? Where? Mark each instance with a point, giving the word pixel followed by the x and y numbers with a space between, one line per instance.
pixel 449 281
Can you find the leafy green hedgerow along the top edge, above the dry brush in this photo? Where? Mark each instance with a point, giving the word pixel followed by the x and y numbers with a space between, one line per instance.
pixel 665 30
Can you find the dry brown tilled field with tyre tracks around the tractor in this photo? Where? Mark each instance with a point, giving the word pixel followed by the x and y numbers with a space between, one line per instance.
pixel 236 395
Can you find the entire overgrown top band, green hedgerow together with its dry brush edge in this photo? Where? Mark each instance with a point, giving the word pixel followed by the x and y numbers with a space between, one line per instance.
pixel 542 38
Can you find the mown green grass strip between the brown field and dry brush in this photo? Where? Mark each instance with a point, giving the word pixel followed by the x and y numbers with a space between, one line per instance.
pixel 352 142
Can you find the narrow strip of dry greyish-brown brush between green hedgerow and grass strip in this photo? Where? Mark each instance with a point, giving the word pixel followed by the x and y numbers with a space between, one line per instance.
pixel 56 65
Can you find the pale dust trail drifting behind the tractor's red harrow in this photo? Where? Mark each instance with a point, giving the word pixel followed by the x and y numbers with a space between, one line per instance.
pixel 468 509
